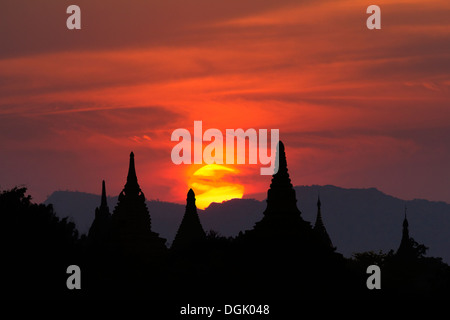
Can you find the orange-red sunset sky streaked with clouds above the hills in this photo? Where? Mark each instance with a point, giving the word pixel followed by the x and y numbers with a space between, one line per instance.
pixel 355 107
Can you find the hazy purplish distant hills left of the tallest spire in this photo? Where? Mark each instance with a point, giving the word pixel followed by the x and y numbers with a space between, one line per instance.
pixel 227 218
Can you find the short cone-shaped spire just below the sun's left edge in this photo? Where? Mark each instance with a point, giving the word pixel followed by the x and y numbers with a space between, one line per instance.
pixel 190 230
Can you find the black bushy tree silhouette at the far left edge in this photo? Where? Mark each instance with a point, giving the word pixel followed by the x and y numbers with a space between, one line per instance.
pixel 37 247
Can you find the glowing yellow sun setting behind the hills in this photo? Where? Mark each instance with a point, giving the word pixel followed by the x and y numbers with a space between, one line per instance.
pixel 214 183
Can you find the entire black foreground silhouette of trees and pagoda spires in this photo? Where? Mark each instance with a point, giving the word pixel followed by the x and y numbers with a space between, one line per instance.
pixel 281 240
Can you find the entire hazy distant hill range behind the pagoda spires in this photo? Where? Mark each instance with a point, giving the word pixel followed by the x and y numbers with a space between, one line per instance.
pixel 357 219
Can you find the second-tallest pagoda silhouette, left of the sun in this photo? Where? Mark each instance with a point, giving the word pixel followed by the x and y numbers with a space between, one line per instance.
pixel 131 224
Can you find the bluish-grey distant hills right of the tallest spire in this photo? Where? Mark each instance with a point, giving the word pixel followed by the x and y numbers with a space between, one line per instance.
pixel 366 219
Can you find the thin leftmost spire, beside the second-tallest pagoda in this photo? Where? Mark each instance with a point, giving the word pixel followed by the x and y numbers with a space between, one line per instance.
pixel 99 230
